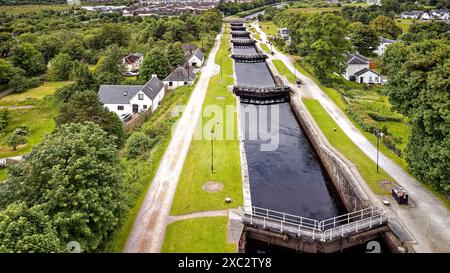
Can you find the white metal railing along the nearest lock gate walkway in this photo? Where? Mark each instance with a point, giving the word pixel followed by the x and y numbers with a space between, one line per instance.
pixel 326 230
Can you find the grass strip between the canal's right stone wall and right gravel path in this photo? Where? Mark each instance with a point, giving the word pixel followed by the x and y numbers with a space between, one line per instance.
pixel 365 166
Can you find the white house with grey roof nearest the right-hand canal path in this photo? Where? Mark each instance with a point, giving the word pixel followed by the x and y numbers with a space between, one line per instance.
pixel 358 69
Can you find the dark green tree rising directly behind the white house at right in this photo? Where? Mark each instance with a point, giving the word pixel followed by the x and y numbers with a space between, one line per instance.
pixel 364 38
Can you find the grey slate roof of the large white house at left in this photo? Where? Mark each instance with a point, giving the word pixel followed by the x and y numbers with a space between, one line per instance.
pixel 121 94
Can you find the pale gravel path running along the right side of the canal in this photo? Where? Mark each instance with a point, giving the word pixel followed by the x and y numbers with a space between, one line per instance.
pixel 428 221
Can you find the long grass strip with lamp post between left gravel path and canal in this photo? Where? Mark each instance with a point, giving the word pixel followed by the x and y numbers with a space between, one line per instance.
pixel 190 196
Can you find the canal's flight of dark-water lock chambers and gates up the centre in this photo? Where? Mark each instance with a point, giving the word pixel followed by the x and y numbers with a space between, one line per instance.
pixel 295 199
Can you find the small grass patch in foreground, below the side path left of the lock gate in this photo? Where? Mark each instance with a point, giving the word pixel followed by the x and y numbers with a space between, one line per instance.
pixel 210 236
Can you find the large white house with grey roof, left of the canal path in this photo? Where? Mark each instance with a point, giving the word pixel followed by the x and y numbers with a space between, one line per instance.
pixel 127 99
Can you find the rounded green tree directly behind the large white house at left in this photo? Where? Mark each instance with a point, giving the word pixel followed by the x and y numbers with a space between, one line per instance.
pixel 155 62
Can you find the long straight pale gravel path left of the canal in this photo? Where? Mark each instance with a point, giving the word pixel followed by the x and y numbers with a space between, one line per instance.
pixel 149 228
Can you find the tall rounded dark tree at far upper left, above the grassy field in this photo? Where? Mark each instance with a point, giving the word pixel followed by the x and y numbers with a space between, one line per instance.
pixel 27 57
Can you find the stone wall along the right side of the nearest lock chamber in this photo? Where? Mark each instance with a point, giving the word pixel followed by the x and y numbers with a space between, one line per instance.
pixel 342 172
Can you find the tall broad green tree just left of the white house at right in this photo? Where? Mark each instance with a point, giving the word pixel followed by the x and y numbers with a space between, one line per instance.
pixel 324 44
